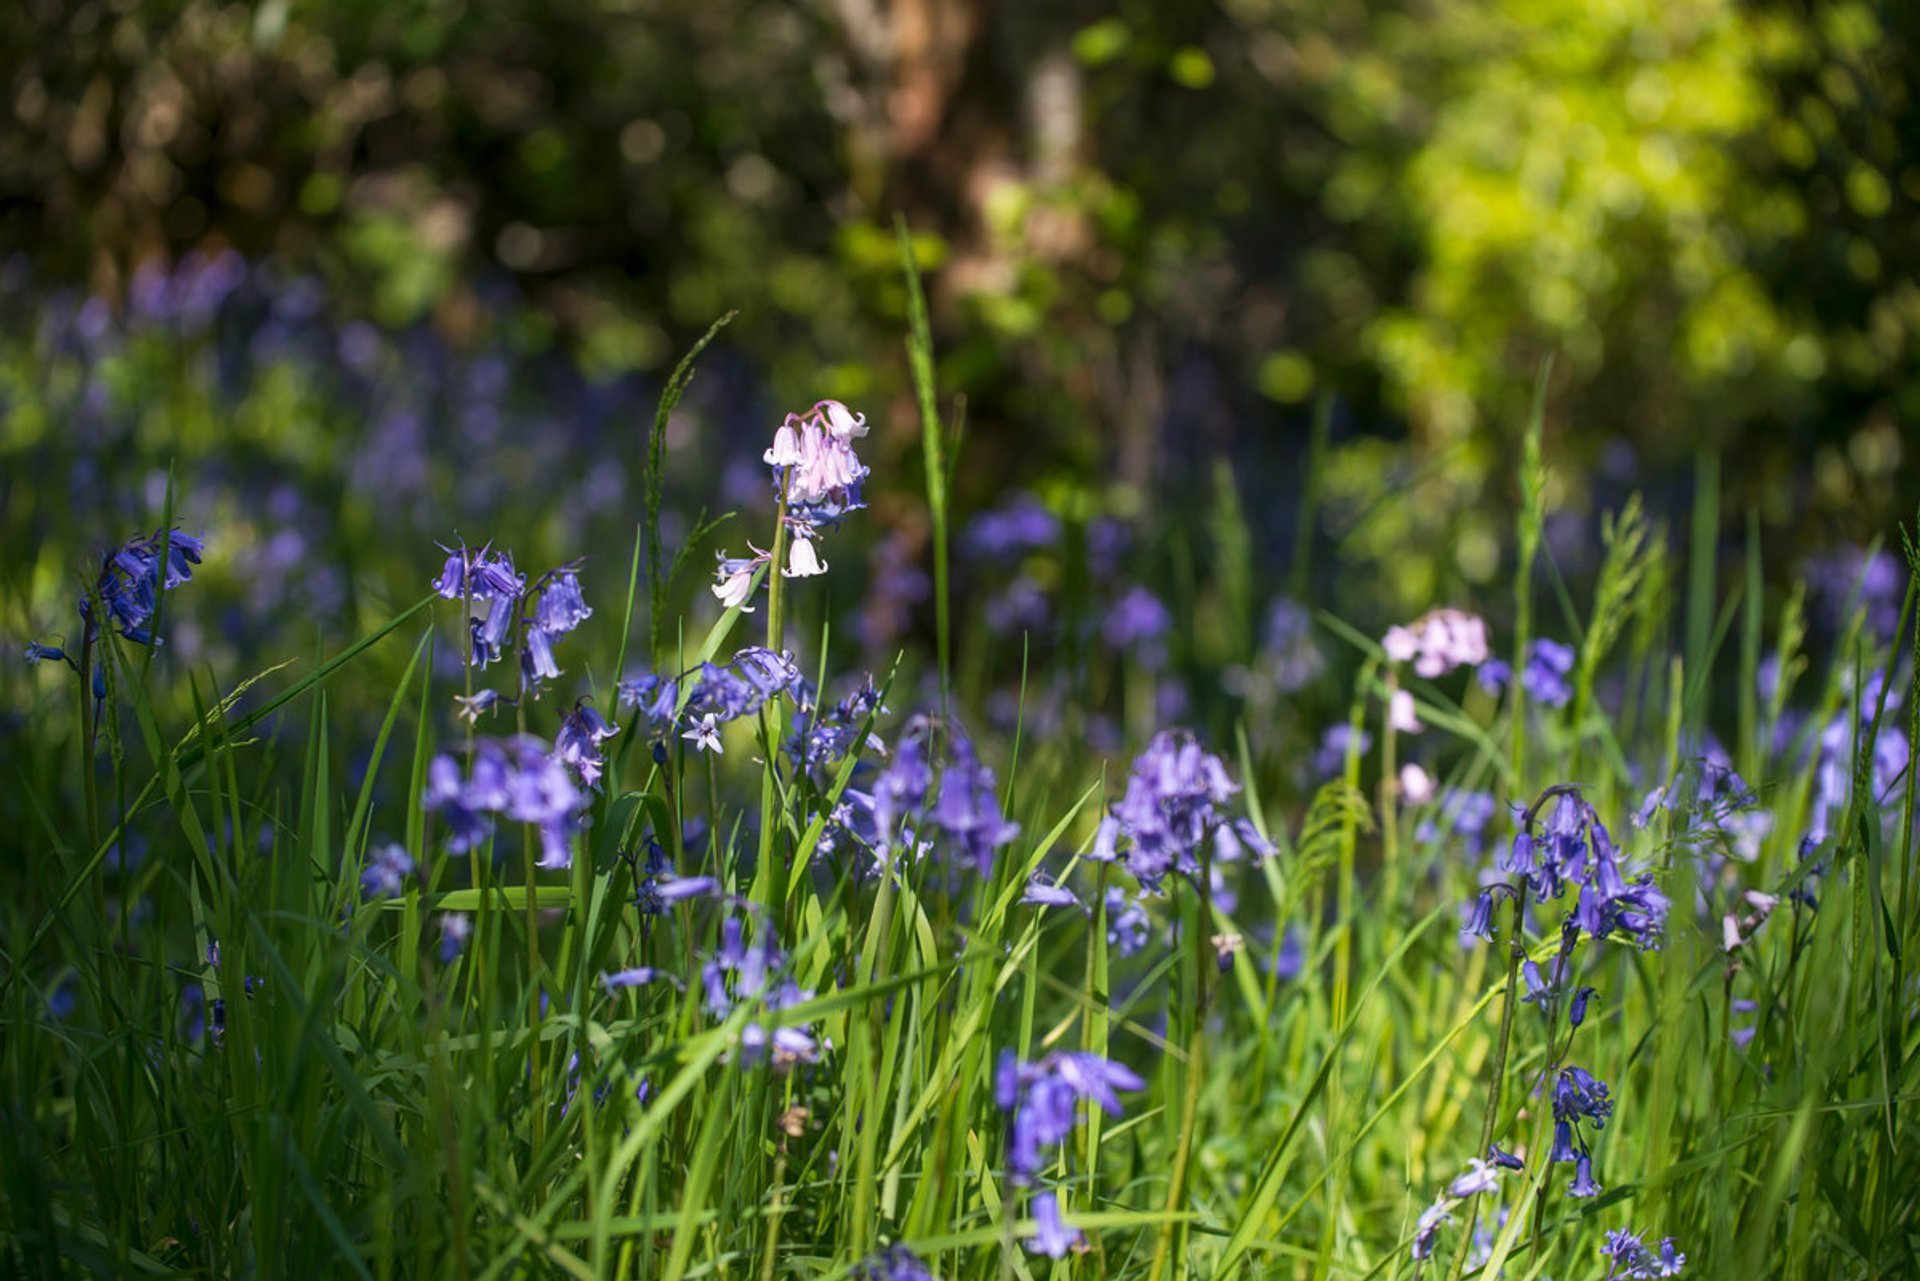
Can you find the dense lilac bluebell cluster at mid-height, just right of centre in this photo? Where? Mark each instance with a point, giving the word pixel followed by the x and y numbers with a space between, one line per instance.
pixel 1172 806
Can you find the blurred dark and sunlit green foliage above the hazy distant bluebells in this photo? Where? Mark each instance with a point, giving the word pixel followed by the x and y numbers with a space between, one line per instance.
pixel 1155 231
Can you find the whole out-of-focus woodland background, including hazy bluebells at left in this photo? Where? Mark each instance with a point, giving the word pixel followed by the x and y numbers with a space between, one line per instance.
pixel 362 276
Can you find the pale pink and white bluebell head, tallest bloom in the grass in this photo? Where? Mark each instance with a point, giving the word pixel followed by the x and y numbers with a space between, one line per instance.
pixel 817 477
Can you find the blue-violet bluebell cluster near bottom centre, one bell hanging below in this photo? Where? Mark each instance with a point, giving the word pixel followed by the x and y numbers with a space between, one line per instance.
pixel 1044 1101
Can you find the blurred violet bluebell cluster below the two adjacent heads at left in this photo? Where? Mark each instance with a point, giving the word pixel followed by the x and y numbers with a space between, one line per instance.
pixel 517 779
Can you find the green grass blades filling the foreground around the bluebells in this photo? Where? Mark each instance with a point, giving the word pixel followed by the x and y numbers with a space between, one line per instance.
pixel 377 1111
